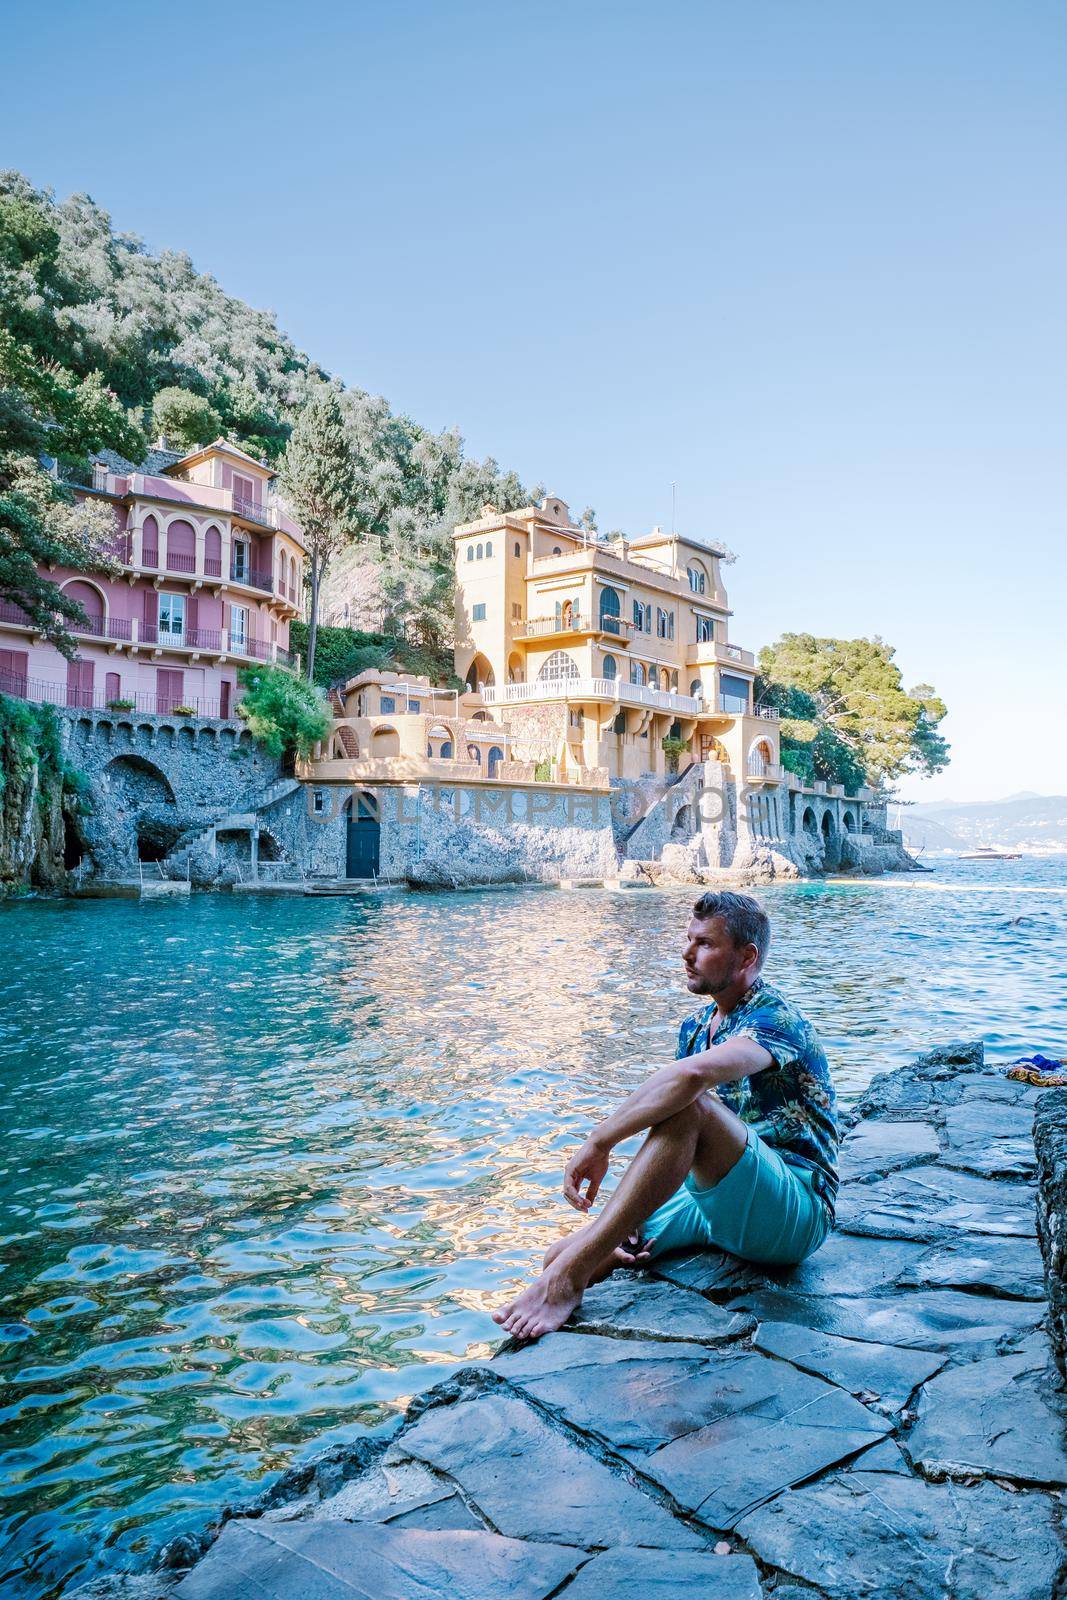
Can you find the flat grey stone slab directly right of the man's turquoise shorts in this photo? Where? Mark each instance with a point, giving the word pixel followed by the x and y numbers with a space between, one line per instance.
pixel 933 1202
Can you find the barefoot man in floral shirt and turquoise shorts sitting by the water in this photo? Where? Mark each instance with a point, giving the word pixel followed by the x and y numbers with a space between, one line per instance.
pixel 741 1148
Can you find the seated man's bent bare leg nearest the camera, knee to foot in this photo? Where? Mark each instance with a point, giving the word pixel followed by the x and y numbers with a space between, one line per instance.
pixel 706 1140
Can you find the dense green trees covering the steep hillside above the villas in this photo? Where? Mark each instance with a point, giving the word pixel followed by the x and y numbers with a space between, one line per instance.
pixel 169 350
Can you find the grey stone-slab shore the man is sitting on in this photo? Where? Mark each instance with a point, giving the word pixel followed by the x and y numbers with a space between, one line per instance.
pixel 882 1422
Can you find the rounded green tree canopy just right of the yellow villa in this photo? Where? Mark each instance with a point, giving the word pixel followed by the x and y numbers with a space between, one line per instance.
pixel 847 716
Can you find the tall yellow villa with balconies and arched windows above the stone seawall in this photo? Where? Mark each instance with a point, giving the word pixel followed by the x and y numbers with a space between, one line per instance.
pixel 596 652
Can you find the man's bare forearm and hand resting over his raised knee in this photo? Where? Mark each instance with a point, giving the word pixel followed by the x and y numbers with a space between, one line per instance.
pixel 668 1092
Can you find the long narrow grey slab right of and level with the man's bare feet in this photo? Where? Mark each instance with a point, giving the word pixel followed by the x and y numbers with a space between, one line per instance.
pixel 924 1321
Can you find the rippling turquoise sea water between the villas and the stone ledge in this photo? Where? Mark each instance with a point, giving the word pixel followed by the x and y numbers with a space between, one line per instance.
pixel 268 1164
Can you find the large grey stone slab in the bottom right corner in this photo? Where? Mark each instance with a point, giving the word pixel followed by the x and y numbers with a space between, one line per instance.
pixel 897 1538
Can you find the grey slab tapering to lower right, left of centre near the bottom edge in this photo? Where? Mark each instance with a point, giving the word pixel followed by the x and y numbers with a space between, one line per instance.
pixel 532 1482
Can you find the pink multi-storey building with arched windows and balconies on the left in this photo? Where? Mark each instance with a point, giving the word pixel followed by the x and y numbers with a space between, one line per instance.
pixel 212 577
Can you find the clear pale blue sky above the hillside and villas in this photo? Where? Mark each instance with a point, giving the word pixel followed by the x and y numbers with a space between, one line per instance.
pixel 807 260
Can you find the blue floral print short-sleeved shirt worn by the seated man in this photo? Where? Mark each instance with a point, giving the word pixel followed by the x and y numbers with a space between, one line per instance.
pixel 791 1105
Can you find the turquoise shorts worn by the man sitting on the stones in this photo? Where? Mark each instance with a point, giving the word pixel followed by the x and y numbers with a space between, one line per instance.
pixel 762 1210
